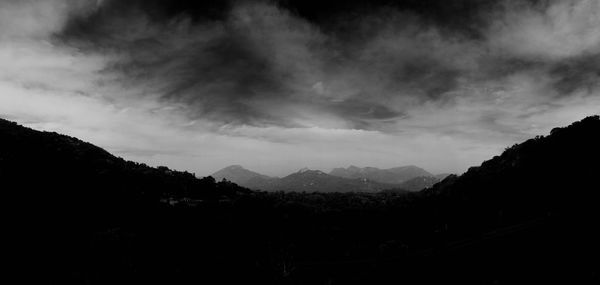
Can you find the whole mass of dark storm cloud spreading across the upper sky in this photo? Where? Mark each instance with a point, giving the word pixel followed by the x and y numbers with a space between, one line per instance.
pixel 348 64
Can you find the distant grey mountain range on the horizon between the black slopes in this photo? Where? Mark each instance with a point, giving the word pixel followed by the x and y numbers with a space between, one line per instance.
pixel 351 179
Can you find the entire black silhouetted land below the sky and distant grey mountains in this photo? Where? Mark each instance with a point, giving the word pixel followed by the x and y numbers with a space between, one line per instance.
pixel 78 215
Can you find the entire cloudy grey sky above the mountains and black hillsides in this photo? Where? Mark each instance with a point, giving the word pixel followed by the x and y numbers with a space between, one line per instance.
pixel 276 86
